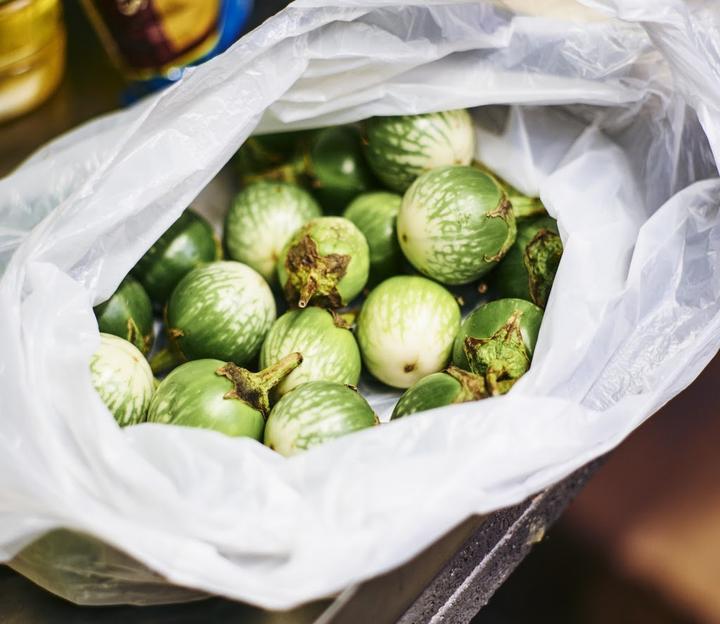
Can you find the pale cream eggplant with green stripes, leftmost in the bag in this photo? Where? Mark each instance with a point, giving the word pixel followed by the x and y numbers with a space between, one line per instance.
pixel 123 379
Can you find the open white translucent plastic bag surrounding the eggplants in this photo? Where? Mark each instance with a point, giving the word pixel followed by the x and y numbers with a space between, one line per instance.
pixel 615 123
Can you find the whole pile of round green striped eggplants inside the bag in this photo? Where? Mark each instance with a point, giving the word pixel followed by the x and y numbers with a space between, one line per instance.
pixel 366 232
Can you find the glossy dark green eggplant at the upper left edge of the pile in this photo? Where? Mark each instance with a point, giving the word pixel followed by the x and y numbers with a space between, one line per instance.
pixel 188 243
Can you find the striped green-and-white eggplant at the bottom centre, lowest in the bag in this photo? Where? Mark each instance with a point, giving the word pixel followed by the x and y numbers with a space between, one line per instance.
pixel 314 413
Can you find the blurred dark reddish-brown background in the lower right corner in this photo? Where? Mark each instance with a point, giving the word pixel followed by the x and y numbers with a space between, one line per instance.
pixel 641 543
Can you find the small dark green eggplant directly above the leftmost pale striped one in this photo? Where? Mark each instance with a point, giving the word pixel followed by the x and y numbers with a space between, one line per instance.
pixel 128 314
